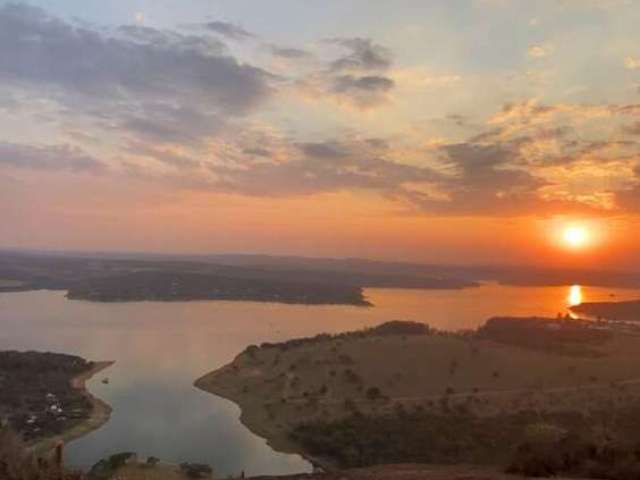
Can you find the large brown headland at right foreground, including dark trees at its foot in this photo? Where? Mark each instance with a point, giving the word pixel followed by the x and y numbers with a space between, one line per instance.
pixel 528 394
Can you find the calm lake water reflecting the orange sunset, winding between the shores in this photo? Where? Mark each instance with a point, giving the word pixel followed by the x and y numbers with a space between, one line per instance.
pixel 161 348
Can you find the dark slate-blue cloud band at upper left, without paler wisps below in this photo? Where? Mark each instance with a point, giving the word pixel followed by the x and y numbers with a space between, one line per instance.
pixel 40 50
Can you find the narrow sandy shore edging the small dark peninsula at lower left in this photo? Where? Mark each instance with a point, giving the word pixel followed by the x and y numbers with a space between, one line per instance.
pixel 99 416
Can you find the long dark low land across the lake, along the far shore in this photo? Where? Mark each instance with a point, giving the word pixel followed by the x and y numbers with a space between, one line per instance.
pixel 109 278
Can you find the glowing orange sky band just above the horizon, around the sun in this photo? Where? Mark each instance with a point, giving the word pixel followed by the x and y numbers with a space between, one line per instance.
pixel 335 225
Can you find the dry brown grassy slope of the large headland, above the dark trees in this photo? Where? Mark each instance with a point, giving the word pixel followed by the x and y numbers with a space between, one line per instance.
pixel 278 390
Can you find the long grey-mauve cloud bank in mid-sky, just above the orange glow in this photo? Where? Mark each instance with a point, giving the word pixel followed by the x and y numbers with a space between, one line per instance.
pixel 472 178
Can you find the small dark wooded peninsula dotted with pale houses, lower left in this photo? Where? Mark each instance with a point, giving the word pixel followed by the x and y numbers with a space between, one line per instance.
pixel 43 397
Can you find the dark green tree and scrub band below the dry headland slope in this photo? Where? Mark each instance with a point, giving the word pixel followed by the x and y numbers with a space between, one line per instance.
pixel 604 444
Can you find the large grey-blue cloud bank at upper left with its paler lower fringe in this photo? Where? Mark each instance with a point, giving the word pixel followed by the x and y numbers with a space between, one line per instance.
pixel 160 85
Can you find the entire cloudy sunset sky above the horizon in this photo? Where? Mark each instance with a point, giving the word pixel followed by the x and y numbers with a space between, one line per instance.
pixel 451 131
